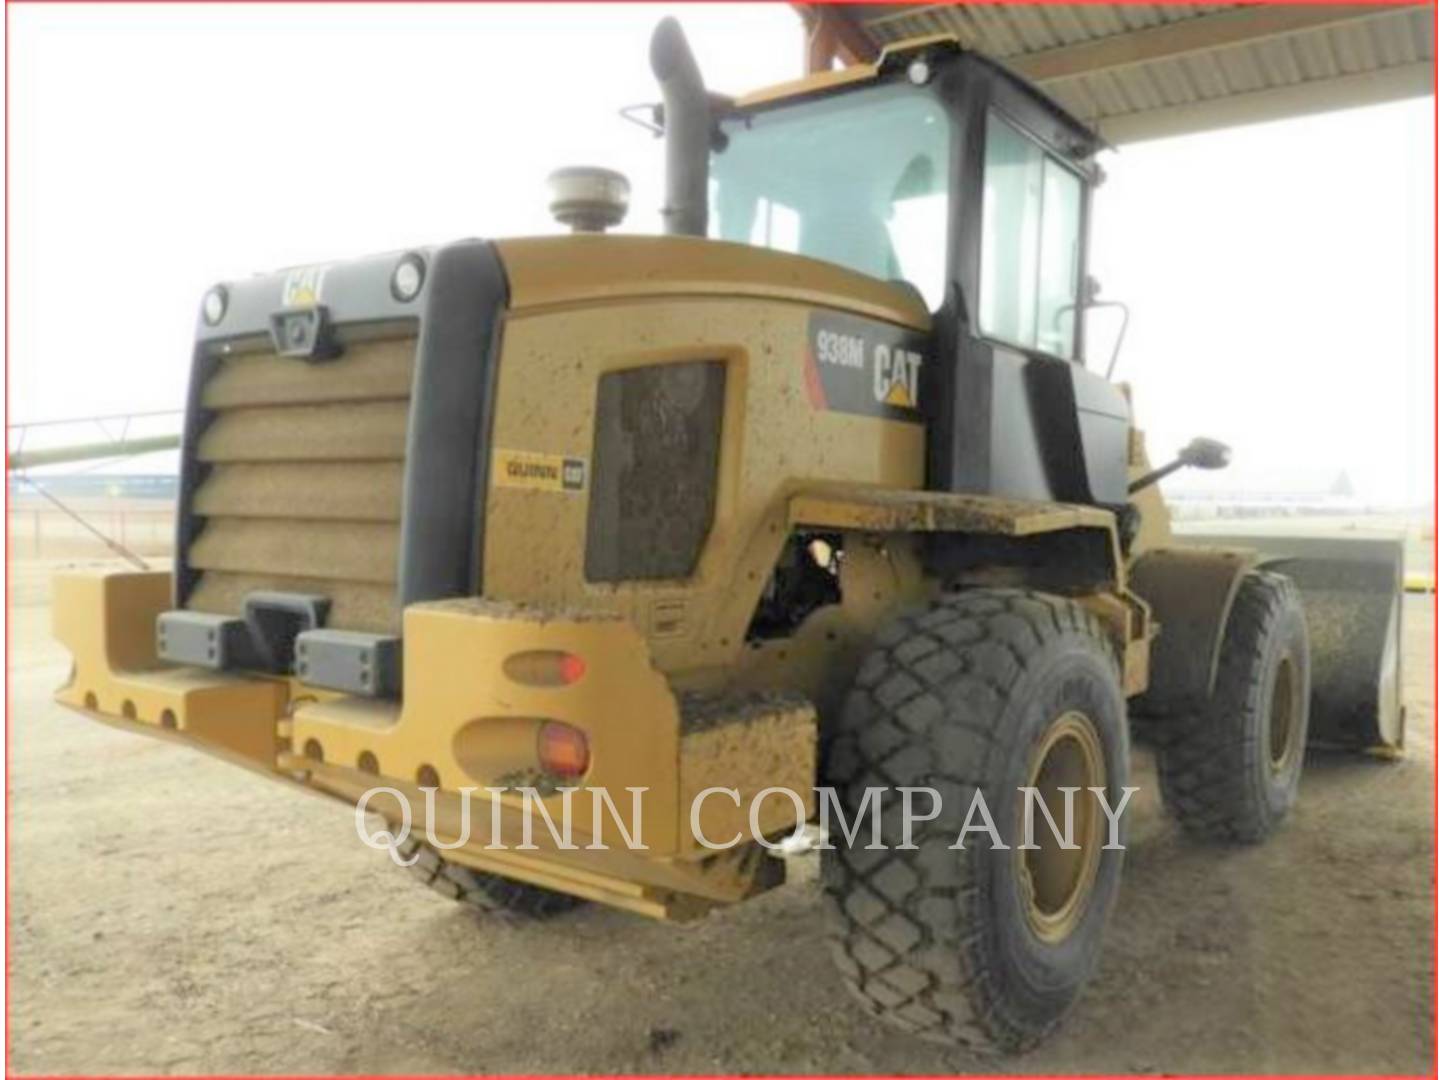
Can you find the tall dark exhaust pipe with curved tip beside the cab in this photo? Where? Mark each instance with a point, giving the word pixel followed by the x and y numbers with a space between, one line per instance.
pixel 688 132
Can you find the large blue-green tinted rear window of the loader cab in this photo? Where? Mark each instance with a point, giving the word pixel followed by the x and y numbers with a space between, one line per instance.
pixel 860 179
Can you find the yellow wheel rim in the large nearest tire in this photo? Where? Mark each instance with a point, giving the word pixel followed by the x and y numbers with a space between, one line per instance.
pixel 1056 882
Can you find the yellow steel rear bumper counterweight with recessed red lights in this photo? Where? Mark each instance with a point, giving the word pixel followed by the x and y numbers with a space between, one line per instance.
pixel 464 724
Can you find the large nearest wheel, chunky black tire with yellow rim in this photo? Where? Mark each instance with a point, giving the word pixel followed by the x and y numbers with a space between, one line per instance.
pixel 978 947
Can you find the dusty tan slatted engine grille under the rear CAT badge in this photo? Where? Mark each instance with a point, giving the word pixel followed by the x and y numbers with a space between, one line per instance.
pixel 303 482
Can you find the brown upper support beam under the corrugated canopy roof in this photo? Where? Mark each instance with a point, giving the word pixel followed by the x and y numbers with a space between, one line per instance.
pixel 1199 34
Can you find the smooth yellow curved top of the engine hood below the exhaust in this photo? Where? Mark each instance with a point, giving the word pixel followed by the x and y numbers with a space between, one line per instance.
pixel 554 271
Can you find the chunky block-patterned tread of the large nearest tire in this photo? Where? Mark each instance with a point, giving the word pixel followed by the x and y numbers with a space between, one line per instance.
pixel 912 951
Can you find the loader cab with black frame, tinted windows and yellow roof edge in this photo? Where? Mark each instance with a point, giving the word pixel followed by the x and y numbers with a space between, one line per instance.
pixel 942 172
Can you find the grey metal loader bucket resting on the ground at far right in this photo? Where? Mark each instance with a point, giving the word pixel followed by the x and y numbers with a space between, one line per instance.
pixel 1353 590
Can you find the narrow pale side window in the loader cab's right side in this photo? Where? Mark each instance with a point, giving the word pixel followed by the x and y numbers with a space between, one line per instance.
pixel 1030 244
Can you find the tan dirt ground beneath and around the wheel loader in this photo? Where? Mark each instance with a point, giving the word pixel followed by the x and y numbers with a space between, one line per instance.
pixel 175 915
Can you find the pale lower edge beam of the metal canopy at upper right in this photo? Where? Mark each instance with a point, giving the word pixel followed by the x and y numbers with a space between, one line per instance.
pixel 1279 103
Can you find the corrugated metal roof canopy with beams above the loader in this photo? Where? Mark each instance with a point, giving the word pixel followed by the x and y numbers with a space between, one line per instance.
pixel 1150 71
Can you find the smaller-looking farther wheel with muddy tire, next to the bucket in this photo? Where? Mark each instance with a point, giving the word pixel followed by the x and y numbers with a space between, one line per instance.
pixel 1232 770
